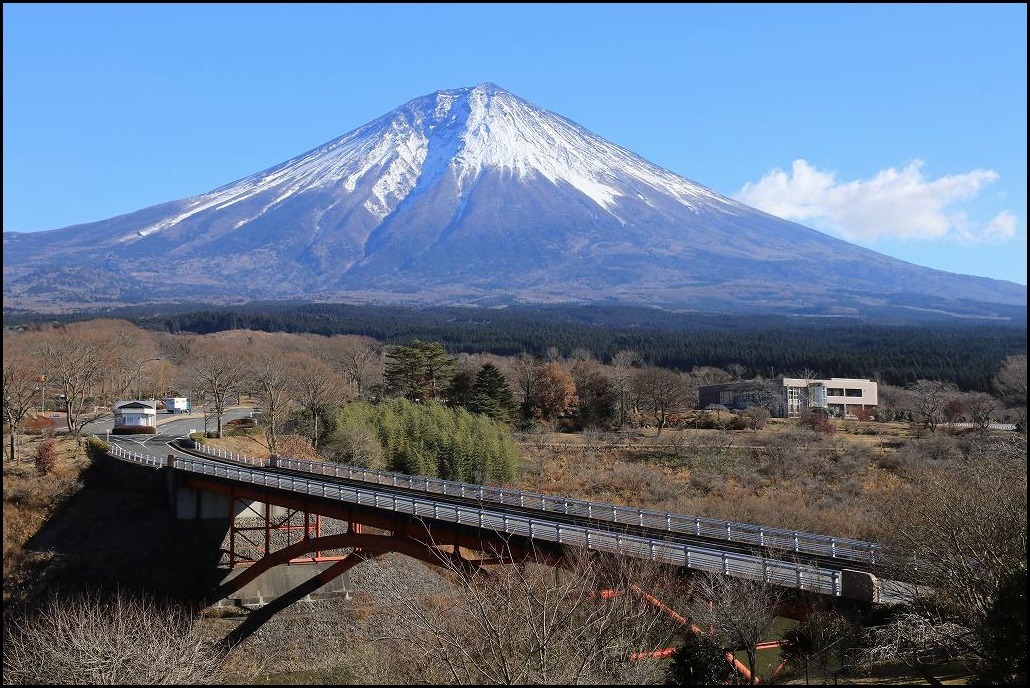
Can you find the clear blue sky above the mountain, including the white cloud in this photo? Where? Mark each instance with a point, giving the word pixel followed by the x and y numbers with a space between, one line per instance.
pixel 898 127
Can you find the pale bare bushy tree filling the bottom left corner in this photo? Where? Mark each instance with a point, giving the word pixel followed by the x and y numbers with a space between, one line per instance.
pixel 91 640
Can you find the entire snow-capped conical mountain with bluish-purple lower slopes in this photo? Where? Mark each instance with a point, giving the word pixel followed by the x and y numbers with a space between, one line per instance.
pixel 475 197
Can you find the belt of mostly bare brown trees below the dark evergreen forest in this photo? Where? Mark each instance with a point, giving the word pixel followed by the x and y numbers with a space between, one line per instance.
pixel 304 383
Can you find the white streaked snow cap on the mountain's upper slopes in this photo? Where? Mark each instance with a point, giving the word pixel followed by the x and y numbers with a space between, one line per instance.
pixel 461 132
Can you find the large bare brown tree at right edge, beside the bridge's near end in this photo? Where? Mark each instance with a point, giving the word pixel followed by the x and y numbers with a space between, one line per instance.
pixel 953 547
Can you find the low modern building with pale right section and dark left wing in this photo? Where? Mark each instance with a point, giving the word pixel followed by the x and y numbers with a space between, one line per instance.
pixel 789 397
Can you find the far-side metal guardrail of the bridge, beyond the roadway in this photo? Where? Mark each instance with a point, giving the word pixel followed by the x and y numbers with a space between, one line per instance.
pixel 759 536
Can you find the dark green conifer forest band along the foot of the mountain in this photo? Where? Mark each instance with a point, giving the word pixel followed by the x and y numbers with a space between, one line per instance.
pixel 896 353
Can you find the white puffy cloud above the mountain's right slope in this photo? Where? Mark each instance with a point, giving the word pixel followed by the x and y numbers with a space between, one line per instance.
pixel 895 204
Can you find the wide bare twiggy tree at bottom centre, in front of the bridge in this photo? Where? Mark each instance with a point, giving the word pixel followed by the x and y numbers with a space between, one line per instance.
pixel 530 624
